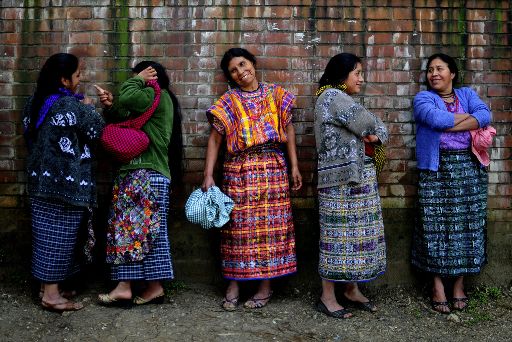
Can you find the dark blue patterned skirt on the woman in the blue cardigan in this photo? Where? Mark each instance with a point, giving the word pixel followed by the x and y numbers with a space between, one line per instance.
pixel 450 233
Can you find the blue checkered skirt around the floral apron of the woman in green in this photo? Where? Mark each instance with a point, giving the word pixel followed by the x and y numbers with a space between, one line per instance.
pixel 157 265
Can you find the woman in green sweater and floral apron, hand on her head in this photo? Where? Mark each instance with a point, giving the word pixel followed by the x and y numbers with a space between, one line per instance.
pixel 137 241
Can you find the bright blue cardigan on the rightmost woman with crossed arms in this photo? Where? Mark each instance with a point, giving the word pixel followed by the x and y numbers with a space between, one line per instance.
pixel 432 118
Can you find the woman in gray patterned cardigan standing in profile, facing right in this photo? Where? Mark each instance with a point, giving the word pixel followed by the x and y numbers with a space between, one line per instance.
pixel 352 247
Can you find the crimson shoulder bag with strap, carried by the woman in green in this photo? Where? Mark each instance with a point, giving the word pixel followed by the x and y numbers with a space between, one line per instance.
pixel 125 140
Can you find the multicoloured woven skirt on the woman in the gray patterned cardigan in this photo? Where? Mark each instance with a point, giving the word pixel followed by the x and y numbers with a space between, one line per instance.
pixel 352 245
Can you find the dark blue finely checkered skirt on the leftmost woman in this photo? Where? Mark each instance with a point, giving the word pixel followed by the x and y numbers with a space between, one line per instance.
pixel 55 228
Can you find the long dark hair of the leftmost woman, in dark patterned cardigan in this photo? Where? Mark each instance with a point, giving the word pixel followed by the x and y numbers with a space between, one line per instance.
pixel 48 82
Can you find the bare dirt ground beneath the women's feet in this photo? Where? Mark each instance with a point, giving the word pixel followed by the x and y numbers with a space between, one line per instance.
pixel 192 313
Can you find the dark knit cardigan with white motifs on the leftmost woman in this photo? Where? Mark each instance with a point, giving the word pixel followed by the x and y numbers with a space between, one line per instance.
pixel 59 162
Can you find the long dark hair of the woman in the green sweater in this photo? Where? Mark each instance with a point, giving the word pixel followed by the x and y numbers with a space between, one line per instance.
pixel 176 143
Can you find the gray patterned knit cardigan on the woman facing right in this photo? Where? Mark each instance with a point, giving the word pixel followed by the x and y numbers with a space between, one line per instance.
pixel 340 125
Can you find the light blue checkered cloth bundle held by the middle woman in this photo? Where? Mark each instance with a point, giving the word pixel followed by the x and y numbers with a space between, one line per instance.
pixel 209 209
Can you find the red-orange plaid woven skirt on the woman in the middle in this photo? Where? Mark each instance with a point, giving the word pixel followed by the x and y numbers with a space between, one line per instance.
pixel 259 240
